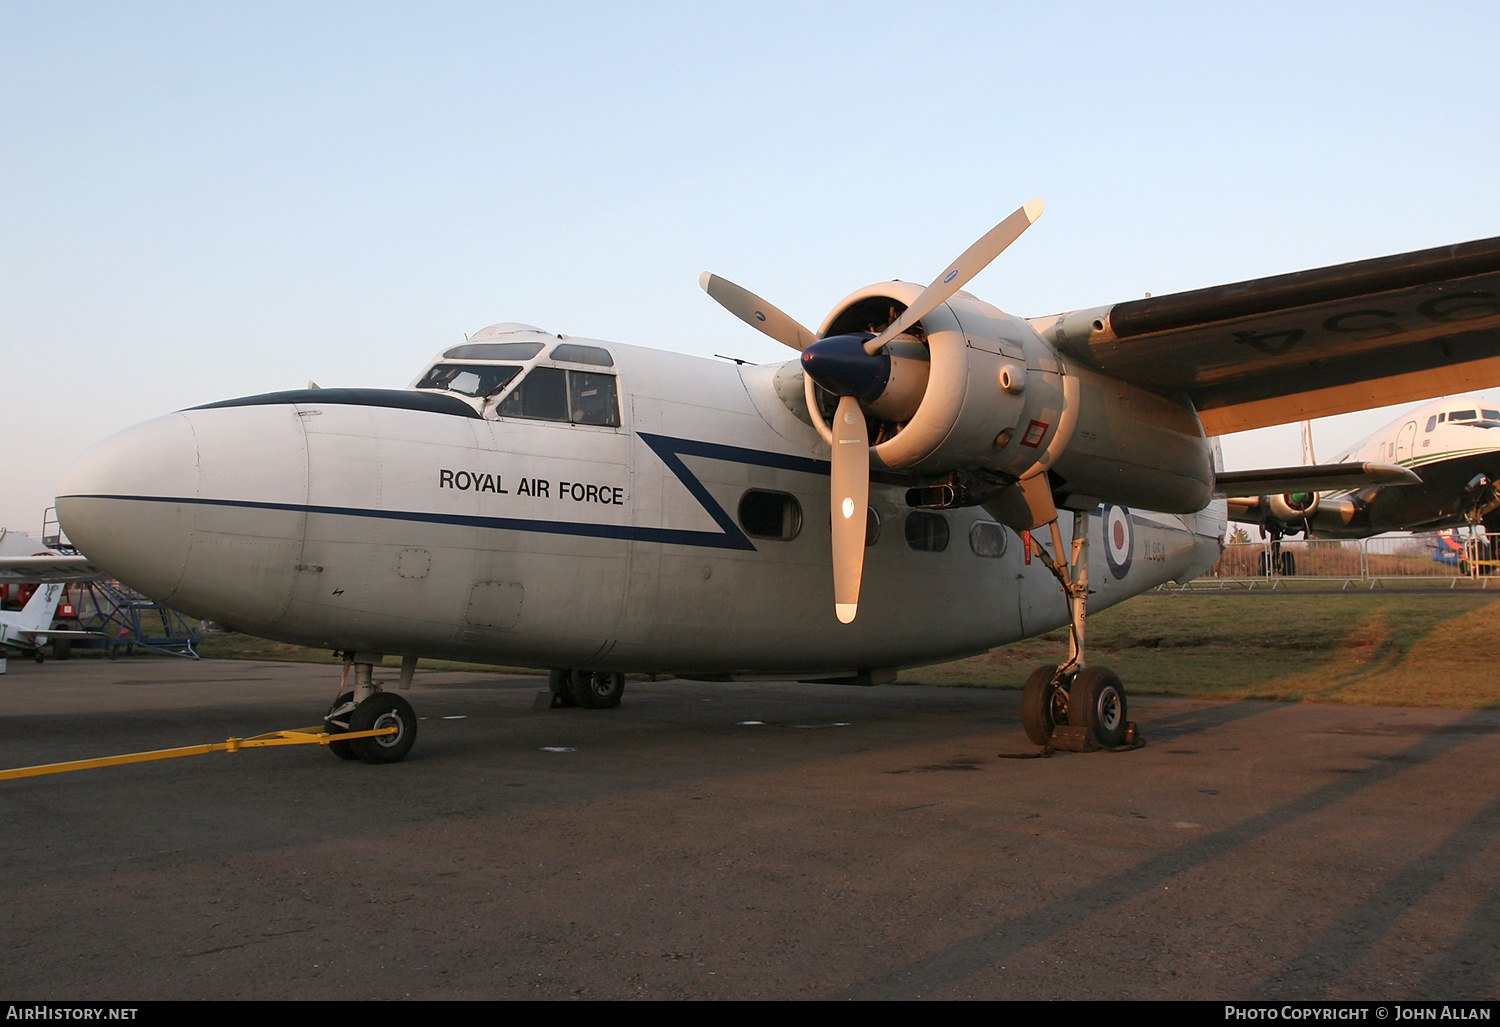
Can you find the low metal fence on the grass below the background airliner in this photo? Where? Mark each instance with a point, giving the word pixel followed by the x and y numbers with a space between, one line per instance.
pixel 1369 563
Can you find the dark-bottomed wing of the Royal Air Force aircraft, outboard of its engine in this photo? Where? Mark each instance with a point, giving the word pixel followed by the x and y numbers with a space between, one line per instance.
pixel 1337 340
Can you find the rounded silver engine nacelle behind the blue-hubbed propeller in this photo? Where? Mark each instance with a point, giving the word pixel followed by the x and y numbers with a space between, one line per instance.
pixel 1000 401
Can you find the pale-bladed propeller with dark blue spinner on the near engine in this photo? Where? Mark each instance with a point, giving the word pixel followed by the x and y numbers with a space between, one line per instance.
pixel 856 370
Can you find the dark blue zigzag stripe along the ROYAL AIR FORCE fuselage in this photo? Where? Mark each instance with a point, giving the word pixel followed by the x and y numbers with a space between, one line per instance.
pixel 668 449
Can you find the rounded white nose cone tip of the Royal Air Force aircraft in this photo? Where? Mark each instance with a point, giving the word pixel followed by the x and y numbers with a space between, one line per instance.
pixel 121 503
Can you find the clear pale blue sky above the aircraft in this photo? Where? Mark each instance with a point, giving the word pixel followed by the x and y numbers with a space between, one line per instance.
pixel 211 200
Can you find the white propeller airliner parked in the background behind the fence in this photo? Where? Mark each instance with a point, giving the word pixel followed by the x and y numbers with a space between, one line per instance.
pixel 1453 458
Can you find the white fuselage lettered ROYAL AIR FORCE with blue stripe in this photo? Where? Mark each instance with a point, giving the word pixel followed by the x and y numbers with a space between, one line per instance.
pixel 682 530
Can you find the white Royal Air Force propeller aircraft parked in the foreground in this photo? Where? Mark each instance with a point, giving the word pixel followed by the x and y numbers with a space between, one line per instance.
pixel 604 509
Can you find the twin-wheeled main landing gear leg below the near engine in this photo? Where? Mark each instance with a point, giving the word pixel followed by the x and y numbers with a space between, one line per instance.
pixel 1075 707
